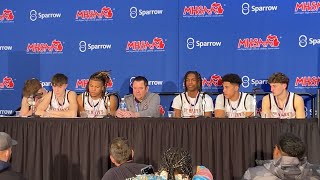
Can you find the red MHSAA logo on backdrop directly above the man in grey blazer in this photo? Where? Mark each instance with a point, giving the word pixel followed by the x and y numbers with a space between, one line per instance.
pixel 156 45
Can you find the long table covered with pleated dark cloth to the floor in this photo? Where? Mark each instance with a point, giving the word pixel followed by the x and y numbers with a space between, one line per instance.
pixel 65 149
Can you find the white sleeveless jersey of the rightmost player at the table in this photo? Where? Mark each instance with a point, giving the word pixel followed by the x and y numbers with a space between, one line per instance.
pixel 288 112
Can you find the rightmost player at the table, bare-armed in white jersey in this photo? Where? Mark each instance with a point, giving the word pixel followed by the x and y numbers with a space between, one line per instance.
pixel 281 103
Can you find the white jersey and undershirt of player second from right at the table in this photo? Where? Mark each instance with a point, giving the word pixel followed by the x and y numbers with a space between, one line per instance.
pixel 235 109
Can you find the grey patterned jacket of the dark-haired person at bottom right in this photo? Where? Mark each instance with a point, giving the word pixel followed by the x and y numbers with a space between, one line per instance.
pixel 285 167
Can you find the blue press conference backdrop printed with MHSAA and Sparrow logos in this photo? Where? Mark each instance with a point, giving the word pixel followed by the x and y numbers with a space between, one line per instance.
pixel 160 40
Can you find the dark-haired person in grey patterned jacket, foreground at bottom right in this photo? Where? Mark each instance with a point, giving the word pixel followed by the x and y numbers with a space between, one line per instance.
pixel 289 162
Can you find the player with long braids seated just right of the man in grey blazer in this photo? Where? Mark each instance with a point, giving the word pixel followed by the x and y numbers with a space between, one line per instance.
pixel 193 102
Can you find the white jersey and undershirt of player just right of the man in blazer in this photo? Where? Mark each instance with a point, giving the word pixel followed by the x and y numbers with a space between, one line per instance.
pixel 193 107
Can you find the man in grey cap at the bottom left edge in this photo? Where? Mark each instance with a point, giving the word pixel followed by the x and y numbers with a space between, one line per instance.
pixel 6 144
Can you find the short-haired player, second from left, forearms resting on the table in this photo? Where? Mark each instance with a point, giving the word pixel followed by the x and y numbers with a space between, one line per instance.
pixel 60 102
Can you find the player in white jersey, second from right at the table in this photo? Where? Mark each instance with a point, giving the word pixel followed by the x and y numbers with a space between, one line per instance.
pixel 233 103
